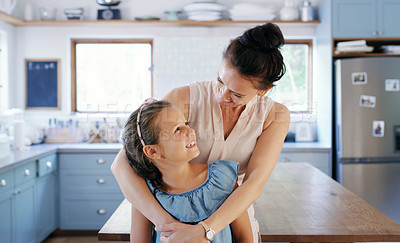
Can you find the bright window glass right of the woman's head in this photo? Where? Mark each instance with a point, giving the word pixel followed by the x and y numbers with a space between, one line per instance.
pixel 293 89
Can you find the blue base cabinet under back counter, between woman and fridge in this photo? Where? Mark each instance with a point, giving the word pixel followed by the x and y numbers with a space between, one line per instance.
pixel 319 159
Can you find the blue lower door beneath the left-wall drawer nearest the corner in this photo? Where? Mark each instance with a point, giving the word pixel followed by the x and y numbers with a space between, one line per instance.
pixel 45 206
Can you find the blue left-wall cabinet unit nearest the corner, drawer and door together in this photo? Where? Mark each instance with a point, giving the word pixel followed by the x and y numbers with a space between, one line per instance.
pixel 46 197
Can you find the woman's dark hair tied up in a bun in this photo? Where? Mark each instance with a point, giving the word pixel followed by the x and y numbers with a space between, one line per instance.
pixel 256 54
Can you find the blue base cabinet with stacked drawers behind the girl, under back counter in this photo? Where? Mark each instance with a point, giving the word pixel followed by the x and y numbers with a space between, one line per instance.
pixel 89 193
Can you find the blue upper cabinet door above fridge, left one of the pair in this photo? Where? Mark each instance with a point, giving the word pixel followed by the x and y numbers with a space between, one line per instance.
pixel 354 18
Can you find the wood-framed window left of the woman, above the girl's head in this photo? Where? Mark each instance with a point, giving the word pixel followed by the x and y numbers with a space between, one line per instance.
pixel 111 75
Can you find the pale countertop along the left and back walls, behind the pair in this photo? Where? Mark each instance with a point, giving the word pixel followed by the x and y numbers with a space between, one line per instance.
pixel 19 157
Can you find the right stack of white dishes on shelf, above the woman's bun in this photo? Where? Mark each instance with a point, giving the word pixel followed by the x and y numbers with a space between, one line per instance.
pixel 251 12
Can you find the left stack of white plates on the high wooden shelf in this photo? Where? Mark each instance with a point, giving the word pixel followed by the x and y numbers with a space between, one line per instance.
pixel 204 11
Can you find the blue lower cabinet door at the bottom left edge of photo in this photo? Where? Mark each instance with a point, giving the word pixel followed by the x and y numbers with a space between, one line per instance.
pixel 6 216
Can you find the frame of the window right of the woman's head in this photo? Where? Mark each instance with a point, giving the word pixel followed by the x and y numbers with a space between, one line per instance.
pixel 309 82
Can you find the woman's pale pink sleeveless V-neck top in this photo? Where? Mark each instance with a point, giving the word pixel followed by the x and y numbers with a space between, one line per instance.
pixel 205 117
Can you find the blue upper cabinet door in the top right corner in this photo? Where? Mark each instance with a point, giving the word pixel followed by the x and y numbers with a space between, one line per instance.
pixel 388 18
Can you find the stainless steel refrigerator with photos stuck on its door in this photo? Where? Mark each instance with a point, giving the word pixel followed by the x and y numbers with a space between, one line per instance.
pixel 367 130
